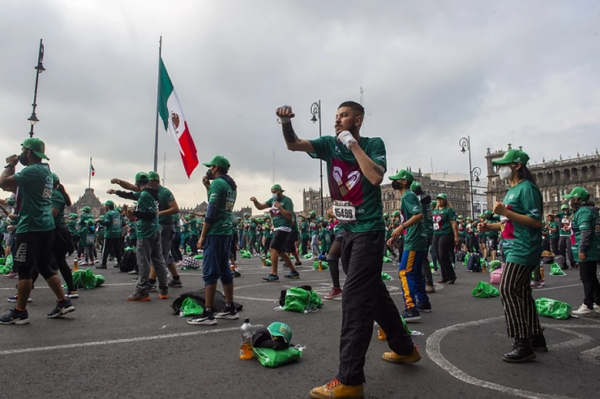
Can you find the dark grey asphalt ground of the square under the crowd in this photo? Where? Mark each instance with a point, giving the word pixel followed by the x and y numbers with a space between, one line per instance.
pixel 111 348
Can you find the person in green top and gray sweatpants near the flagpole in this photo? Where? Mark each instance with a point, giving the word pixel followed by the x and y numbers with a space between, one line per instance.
pixel 149 251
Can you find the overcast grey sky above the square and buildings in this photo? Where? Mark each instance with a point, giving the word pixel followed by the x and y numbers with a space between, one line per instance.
pixel 524 72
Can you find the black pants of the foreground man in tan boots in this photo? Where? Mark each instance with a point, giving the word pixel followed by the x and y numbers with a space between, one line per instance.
pixel 365 300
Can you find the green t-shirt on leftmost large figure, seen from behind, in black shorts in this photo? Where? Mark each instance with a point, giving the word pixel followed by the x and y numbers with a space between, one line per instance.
pixel 35 190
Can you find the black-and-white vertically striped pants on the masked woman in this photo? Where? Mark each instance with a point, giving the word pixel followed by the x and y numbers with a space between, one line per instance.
pixel 521 316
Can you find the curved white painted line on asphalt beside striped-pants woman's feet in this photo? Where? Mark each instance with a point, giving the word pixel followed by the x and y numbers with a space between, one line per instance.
pixel 434 352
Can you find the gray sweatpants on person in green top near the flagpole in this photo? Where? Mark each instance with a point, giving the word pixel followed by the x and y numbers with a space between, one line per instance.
pixel 149 252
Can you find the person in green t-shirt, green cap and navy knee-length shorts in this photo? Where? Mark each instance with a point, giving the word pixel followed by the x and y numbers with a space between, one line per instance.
pixel 215 240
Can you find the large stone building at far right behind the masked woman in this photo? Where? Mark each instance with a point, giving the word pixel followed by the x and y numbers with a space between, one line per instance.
pixel 554 178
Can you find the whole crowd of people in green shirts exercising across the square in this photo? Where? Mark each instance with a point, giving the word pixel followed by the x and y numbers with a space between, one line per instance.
pixel 353 236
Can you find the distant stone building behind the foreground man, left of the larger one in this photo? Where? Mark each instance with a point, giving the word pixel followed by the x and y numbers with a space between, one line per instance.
pixel 457 191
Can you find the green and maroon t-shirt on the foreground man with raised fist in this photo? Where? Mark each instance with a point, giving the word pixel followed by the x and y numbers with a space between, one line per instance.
pixel 347 182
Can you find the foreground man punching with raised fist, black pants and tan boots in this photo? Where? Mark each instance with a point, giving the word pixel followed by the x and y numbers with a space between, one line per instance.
pixel 355 169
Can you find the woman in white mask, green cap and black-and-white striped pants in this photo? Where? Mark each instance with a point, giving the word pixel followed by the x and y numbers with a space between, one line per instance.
pixel 522 249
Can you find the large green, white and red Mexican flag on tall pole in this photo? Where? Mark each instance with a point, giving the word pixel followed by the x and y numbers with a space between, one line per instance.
pixel 171 113
